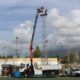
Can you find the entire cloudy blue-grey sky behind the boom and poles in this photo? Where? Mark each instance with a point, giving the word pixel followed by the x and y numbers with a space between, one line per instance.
pixel 17 19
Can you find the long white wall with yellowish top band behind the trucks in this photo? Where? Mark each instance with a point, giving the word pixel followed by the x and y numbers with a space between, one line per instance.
pixel 18 61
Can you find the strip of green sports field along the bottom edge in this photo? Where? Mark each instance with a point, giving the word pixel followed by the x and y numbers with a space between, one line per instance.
pixel 58 78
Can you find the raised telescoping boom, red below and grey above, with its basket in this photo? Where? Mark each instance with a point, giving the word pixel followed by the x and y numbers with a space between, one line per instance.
pixel 41 11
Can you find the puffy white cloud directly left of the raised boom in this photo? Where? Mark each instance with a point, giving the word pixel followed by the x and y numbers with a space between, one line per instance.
pixel 24 31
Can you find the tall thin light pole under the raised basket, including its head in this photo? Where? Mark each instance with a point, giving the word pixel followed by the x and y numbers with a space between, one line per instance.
pixel 43 14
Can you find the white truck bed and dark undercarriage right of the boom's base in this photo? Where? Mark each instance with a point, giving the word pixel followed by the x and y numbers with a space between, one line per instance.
pixel 47 70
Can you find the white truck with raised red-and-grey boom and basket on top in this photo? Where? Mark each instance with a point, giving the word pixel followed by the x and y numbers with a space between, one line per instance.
pixel 47 70
